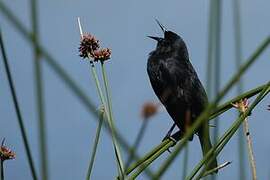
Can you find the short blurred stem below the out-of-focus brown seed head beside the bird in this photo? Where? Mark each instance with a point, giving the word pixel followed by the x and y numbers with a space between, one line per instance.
pixel 137 141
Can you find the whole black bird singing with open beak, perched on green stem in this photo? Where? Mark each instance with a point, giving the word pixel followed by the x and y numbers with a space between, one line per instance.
pixel 176 84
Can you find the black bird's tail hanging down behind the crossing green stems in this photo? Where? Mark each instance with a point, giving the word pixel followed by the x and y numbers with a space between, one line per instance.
pixel 206 145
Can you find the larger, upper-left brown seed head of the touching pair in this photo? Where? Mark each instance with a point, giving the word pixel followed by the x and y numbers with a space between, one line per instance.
pixel 88 45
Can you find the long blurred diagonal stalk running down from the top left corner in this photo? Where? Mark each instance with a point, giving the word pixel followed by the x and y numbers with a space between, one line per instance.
pixel 63 75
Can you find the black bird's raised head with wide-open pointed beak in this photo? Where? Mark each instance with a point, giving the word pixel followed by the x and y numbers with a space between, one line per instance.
pixel 170 42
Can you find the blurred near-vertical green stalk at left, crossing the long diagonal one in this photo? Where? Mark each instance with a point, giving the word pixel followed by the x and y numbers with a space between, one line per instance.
pixel 39 93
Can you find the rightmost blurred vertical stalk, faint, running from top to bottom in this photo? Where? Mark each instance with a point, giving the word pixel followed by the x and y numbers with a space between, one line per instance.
pixel 238 61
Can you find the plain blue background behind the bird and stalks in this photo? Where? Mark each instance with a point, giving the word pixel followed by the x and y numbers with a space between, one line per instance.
pixel 123 27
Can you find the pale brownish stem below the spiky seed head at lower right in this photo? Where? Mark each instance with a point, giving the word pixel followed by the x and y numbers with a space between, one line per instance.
pixel 250 150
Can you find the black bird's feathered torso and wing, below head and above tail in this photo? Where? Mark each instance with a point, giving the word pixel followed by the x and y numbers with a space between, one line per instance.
pixel 179 89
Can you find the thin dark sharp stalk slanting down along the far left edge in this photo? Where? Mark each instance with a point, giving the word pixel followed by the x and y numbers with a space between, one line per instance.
pixel 17 109
